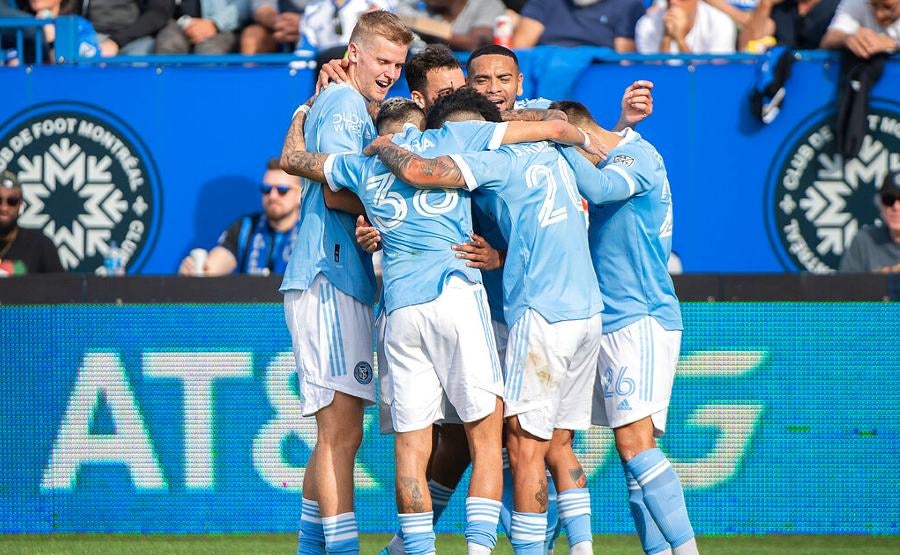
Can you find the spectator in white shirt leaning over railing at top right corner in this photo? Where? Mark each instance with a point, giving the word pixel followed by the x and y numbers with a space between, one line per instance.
pixel 865 27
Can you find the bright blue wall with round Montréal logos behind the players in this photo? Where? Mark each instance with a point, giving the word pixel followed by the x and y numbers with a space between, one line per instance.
pixel 162 158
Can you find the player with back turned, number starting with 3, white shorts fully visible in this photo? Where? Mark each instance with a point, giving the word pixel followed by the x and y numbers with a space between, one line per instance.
pixel 438 342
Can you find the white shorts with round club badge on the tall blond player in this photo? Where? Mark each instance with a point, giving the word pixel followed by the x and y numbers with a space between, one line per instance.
pixel 331 334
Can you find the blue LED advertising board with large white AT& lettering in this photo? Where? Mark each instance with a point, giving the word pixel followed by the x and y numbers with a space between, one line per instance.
pixel 185 418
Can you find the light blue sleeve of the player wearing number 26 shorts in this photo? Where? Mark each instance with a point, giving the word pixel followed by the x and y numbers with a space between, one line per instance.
pixel 613 182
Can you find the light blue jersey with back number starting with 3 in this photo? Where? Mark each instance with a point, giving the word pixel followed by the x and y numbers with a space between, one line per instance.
pixel 417 226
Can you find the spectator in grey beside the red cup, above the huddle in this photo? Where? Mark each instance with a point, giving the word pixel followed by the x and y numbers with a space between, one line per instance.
pixel 460 24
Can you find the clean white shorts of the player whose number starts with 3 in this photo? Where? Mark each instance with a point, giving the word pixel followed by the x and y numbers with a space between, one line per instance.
pixel 442 350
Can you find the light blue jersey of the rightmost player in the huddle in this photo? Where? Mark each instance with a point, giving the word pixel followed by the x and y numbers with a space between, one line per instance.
pixel 630 232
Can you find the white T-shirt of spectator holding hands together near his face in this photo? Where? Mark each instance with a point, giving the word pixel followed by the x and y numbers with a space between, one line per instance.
pixel 713 32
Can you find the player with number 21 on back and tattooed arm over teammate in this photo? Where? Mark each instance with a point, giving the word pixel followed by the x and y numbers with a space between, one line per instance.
pixel 552 298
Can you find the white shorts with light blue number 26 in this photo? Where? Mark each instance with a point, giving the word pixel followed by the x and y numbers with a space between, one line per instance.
pixel 635 374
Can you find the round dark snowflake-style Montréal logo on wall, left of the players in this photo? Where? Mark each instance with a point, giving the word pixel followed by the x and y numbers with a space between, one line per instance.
pixel 87 182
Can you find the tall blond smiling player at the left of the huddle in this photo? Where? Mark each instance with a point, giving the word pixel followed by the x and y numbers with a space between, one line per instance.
pixel 329 289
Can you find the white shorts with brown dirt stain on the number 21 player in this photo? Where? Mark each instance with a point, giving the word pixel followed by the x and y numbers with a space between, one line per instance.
pixel 550 370
